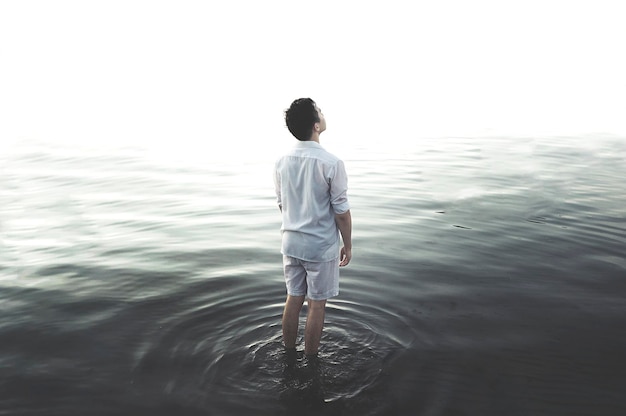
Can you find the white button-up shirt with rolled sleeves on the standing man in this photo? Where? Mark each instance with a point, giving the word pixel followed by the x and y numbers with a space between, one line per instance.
pixel 311 187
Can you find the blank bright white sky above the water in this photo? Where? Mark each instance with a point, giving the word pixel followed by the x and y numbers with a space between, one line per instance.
pixel 211 75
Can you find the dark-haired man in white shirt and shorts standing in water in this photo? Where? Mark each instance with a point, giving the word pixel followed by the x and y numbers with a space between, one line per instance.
pixel 311 189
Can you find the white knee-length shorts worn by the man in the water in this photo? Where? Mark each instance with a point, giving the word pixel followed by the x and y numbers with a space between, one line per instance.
pixel 316 280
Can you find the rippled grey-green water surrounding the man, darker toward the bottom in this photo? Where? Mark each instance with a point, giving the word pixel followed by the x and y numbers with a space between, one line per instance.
pixel 488 278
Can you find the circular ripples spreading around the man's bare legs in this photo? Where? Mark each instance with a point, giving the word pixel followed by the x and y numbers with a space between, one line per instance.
pixel 225 350
